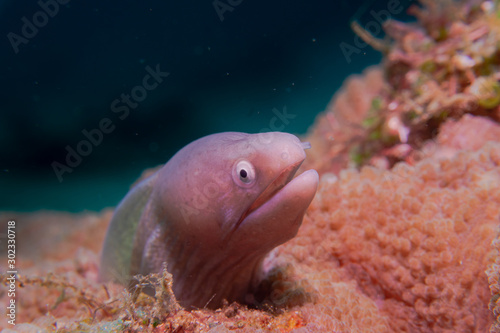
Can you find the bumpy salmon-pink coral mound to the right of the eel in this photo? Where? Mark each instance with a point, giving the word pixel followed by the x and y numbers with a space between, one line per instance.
pixel 415 239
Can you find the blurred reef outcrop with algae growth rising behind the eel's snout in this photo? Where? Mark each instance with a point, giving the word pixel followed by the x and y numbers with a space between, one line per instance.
pixel 442 67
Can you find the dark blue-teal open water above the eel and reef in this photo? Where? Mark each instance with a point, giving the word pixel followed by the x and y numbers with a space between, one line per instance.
pixel 68 67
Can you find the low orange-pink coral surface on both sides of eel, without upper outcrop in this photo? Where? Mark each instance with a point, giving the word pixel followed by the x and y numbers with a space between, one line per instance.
pixel 404 250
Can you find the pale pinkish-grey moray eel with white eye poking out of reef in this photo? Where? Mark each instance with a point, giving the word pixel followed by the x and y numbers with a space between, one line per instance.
pixel 212 213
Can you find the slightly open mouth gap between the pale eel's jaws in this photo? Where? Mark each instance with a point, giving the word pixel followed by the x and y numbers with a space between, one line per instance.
pixel 286 175
